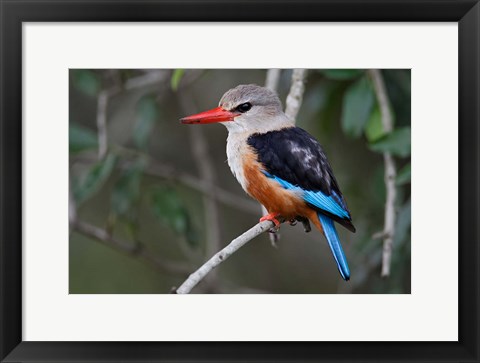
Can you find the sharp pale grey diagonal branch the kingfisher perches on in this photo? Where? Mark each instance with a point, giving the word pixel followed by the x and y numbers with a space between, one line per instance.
pixel 222 255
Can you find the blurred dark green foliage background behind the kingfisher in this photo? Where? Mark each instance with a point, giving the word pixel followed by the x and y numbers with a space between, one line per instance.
pixel 152 199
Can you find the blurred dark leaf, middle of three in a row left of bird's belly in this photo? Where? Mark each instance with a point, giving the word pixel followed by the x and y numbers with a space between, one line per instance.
pixel 126 190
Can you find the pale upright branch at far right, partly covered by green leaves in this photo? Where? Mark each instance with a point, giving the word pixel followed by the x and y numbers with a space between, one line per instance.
pixel 390 172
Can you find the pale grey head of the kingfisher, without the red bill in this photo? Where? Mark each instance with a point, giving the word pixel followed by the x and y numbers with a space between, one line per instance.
pixel 259 109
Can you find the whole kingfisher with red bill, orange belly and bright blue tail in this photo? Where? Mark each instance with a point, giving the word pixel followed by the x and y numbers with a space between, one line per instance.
pixel 280 165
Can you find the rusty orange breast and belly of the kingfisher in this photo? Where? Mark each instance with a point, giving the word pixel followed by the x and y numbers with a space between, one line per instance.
pixel 270 193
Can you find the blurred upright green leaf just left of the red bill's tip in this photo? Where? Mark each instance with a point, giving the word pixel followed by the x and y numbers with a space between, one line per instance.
pixel 147 114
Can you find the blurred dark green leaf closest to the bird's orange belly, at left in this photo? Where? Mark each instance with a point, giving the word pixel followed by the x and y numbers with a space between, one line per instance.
pixel 169 208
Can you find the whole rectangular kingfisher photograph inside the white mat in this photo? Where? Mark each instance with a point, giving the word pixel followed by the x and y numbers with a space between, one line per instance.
pixel 240 181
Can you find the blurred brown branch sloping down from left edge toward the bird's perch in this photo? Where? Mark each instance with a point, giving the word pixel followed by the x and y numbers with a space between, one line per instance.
pixel 138 250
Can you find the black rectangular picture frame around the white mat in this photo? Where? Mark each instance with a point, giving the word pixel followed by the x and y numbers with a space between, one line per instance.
pixel 14 12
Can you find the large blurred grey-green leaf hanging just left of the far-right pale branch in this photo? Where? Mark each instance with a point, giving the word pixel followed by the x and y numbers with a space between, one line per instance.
pixel 357 107
